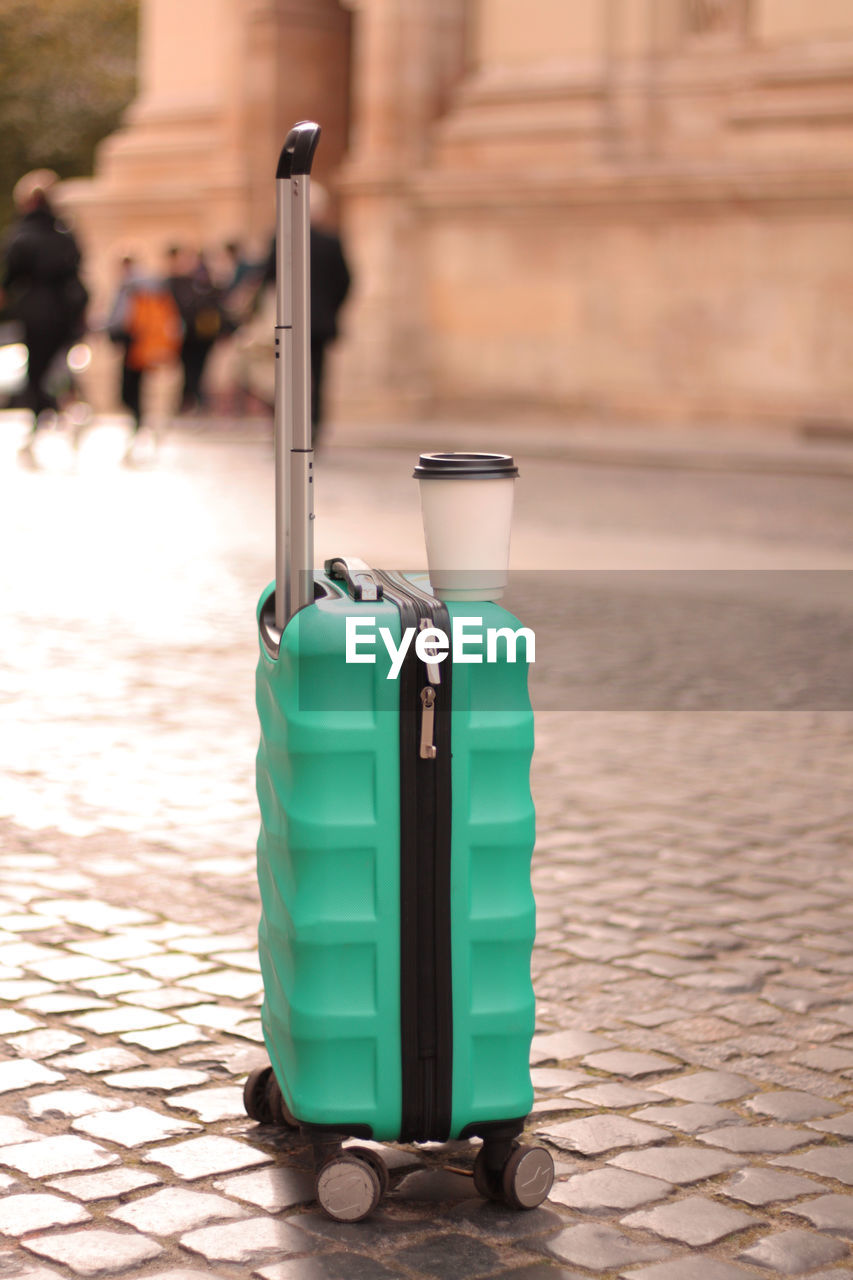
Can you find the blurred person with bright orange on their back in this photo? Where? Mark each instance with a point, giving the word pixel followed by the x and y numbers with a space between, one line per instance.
pixel 147 324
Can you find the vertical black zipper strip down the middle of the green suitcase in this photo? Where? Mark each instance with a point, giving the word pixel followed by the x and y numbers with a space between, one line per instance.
pixel 426 975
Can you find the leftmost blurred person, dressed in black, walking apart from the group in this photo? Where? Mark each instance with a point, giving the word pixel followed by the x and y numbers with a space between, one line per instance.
pixel 43 291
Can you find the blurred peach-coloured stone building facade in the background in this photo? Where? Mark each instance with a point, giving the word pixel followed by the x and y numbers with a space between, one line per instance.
pixel 608 208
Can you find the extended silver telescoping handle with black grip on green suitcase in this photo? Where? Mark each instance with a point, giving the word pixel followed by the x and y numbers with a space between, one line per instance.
pixel 293 420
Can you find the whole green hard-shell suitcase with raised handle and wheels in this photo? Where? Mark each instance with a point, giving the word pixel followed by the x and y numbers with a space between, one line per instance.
pixel 398 828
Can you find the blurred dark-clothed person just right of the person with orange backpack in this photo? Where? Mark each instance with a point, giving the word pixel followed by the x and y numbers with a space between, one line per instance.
pixel 200 304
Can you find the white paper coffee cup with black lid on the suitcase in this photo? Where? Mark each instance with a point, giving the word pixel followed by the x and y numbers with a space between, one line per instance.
pixel 467 504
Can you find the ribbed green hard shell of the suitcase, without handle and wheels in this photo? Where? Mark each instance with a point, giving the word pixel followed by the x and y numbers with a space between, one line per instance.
pixel 330 874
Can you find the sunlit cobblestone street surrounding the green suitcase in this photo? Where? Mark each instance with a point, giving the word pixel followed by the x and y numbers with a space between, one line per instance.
pixel 694 1058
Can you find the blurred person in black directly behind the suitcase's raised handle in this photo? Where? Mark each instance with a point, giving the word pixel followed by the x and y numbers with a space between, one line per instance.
pixel 331 284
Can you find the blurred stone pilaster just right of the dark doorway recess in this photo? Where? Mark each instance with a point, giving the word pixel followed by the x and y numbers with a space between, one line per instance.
pixel 405 56
